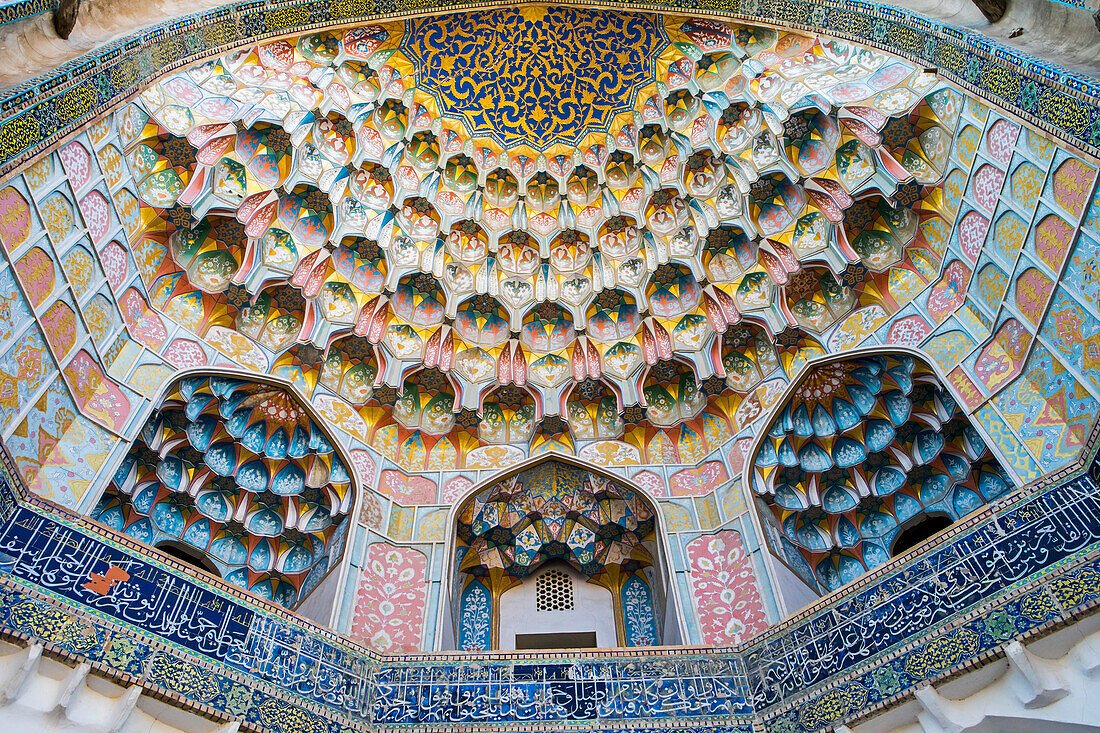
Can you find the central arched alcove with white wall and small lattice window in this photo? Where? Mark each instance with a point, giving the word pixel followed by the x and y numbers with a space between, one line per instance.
pixel 555 554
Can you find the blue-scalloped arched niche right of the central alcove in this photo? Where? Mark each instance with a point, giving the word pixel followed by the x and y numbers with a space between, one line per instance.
pixel 865 454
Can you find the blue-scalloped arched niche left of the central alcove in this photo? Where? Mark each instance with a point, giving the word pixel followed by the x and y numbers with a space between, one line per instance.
pixel 239 477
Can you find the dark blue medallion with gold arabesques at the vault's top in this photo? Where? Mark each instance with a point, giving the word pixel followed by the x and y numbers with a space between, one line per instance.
pixel 537 76
